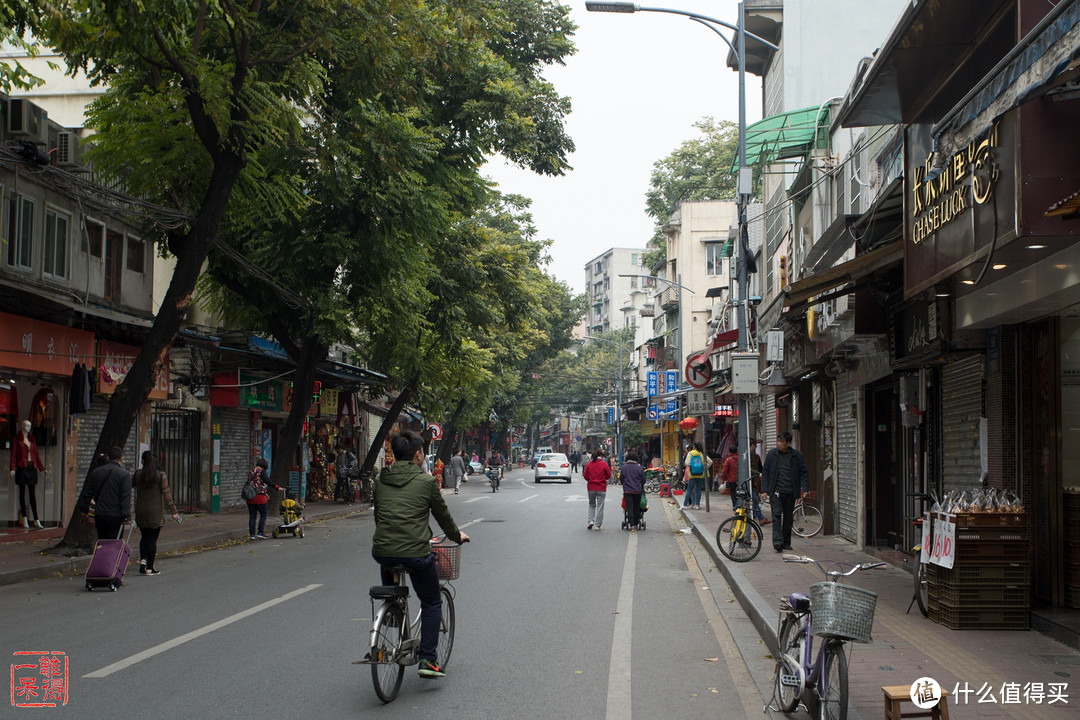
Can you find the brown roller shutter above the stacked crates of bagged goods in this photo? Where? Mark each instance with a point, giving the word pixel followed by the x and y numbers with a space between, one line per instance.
pixel 962 410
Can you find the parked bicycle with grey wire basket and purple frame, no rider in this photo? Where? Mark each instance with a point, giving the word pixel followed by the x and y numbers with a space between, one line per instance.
pixel 833 615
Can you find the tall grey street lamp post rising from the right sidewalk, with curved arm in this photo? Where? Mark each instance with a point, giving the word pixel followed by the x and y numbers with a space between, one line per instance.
pixel 744 180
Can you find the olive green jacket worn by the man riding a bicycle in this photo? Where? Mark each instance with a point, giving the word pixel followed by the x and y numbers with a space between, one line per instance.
pixel 404 497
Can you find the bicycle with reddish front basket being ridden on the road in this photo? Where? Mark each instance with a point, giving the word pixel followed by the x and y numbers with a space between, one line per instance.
pixel 396 636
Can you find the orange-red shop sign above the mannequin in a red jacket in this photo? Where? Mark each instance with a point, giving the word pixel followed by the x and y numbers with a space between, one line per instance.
pixel 33 345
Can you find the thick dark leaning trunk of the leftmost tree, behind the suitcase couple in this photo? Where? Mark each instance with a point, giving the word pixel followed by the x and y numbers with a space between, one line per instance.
pixel 130 396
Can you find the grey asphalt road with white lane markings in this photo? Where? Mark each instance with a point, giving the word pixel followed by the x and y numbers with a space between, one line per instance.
pixel 553 621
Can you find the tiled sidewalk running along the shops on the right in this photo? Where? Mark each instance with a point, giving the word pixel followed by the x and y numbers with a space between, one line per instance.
pixel 907 646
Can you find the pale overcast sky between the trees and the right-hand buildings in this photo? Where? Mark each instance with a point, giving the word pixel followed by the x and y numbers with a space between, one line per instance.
pixel 638 84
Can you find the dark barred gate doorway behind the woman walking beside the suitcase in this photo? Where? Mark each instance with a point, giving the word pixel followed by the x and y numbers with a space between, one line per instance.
pixel 174 439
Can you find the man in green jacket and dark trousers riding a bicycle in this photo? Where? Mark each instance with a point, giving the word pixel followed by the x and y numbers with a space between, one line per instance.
pixel 406 498
